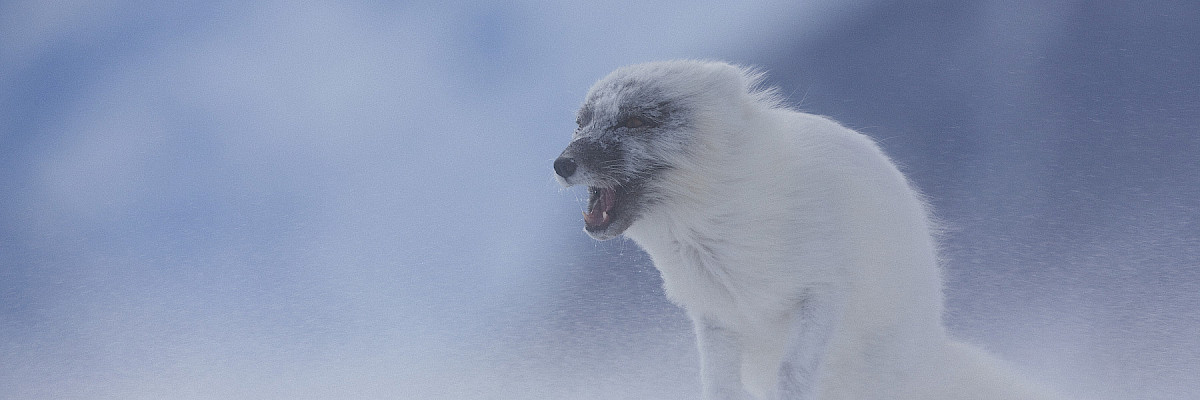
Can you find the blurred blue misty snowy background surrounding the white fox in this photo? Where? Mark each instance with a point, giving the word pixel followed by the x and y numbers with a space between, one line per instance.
pixel 355 201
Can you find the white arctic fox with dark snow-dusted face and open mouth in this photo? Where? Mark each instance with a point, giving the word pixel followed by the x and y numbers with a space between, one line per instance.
pixel 802 255
